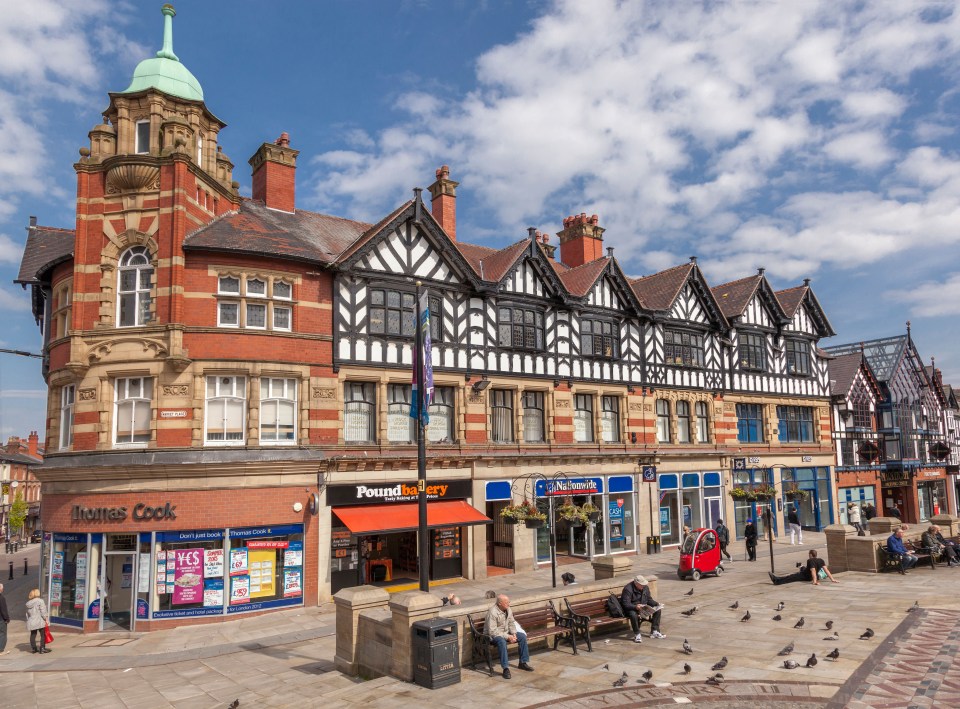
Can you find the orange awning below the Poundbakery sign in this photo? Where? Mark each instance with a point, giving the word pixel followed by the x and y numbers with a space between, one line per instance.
pixel 365 519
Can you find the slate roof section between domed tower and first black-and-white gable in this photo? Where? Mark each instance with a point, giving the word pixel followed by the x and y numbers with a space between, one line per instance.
pixel 255 229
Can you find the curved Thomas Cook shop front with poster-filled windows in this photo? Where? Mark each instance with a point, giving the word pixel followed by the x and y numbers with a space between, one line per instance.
pixel 139 561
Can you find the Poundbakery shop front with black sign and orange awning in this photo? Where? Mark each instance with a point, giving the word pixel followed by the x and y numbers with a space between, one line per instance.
pixel 374 528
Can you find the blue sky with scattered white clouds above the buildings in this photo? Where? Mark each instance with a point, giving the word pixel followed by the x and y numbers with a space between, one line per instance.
pixel 815 139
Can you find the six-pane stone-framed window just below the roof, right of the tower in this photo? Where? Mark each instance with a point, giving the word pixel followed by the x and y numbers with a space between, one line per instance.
pixel 250 307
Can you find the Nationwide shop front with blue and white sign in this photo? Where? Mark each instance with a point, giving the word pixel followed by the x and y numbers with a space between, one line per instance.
pixel 614 529
